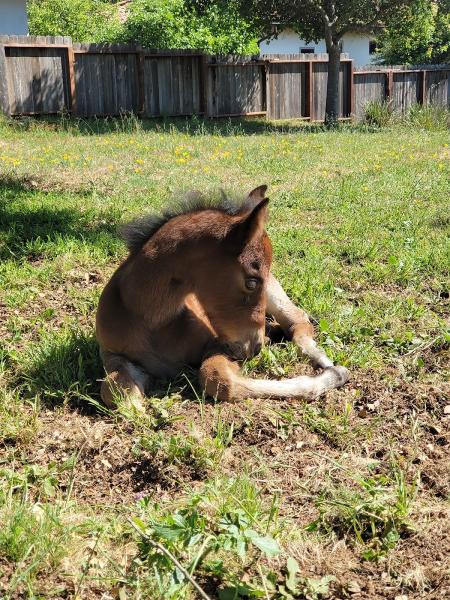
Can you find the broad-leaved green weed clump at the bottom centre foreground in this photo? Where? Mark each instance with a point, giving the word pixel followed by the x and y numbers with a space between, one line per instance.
pixel 212 535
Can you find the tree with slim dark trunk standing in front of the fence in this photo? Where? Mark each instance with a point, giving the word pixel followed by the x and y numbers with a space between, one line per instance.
pixel 317 19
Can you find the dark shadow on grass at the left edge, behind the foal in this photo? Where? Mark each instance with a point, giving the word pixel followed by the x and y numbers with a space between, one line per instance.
pixel 26 230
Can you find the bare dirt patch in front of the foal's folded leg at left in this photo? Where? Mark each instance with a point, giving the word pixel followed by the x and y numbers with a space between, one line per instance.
pixel 107 471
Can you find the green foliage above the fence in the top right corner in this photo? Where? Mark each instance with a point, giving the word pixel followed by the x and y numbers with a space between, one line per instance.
pixel 419 34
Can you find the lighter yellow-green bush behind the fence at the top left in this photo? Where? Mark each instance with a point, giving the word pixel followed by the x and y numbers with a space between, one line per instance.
pixel 83 20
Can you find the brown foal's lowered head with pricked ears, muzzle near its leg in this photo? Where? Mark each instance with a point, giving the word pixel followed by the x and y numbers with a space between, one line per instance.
pixel 232 287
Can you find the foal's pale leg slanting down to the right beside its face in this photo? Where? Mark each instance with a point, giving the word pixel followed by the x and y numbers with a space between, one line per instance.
pixel 295 323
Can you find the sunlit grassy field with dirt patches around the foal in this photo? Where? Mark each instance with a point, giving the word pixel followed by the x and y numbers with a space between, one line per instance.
pixel 348 496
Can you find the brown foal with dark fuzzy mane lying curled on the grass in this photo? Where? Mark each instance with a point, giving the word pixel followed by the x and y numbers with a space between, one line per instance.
pixel 195 290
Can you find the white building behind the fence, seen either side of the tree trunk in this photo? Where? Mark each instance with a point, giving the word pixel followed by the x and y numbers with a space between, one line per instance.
pixel 360 46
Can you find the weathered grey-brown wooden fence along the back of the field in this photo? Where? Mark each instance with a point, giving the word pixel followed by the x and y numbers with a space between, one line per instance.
pixel 49 75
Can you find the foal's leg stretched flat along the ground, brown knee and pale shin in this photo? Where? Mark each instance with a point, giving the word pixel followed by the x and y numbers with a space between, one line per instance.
pixel 220 378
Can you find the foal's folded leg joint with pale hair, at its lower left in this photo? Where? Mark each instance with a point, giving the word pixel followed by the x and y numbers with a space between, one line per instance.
pixel 123 380
